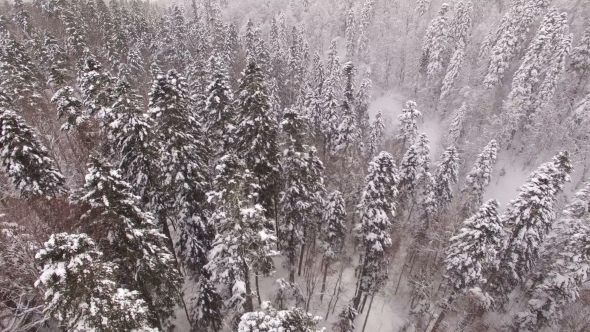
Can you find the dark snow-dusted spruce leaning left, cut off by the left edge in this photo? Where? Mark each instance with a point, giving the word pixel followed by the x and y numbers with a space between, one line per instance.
pixel 26 160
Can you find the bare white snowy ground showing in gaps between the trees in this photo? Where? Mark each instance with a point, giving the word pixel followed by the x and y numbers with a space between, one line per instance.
pixel 389 310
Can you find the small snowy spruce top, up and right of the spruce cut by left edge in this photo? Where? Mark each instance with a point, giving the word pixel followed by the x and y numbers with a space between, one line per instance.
pixel 70 108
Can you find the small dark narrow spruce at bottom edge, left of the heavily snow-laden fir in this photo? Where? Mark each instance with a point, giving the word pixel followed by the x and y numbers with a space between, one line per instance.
pixel 206 312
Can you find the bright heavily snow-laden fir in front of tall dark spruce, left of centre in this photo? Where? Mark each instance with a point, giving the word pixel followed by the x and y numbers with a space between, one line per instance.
pixel 242 246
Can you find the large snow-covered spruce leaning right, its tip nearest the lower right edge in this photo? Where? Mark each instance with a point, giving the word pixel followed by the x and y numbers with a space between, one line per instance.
pixel 529 218
